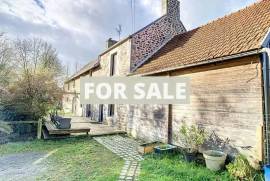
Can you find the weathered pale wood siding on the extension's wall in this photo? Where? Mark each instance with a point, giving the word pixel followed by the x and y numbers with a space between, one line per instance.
pixel 225 98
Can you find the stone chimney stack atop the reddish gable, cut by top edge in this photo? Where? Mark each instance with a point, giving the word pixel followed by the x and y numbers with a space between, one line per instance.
pixel 171 7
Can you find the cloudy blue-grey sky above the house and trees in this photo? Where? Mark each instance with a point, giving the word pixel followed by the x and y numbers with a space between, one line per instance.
pixel 78 29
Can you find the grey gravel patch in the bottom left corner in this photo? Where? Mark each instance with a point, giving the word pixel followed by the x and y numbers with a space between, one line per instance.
pixel 18 167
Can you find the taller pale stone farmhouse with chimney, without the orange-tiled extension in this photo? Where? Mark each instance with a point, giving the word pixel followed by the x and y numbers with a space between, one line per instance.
pixel 123 57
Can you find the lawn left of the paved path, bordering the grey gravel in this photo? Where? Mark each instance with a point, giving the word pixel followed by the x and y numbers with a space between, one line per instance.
pixel 78 158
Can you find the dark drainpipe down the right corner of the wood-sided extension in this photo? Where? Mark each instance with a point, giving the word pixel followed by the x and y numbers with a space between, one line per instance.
pixel 265 63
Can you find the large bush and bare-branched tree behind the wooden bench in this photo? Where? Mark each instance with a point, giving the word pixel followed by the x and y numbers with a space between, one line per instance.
pixel 35 88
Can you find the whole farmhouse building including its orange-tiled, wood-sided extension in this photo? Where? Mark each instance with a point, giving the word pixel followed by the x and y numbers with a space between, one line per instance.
pixel 228 63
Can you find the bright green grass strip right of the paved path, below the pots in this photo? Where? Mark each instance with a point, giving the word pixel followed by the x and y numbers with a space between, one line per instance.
pixel 174 168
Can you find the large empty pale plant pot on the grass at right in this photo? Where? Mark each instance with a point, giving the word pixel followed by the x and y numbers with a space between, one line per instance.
pixel 215 160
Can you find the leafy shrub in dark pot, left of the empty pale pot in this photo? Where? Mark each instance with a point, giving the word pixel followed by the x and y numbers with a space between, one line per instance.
pixel 191 138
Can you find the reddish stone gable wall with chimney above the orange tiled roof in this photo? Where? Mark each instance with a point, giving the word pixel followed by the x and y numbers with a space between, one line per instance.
pixel 151 38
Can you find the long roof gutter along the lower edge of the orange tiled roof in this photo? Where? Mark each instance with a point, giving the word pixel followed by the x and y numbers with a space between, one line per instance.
pixel 229 57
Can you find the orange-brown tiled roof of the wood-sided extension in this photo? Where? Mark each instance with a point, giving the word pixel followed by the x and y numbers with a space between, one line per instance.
pixel 238 32
